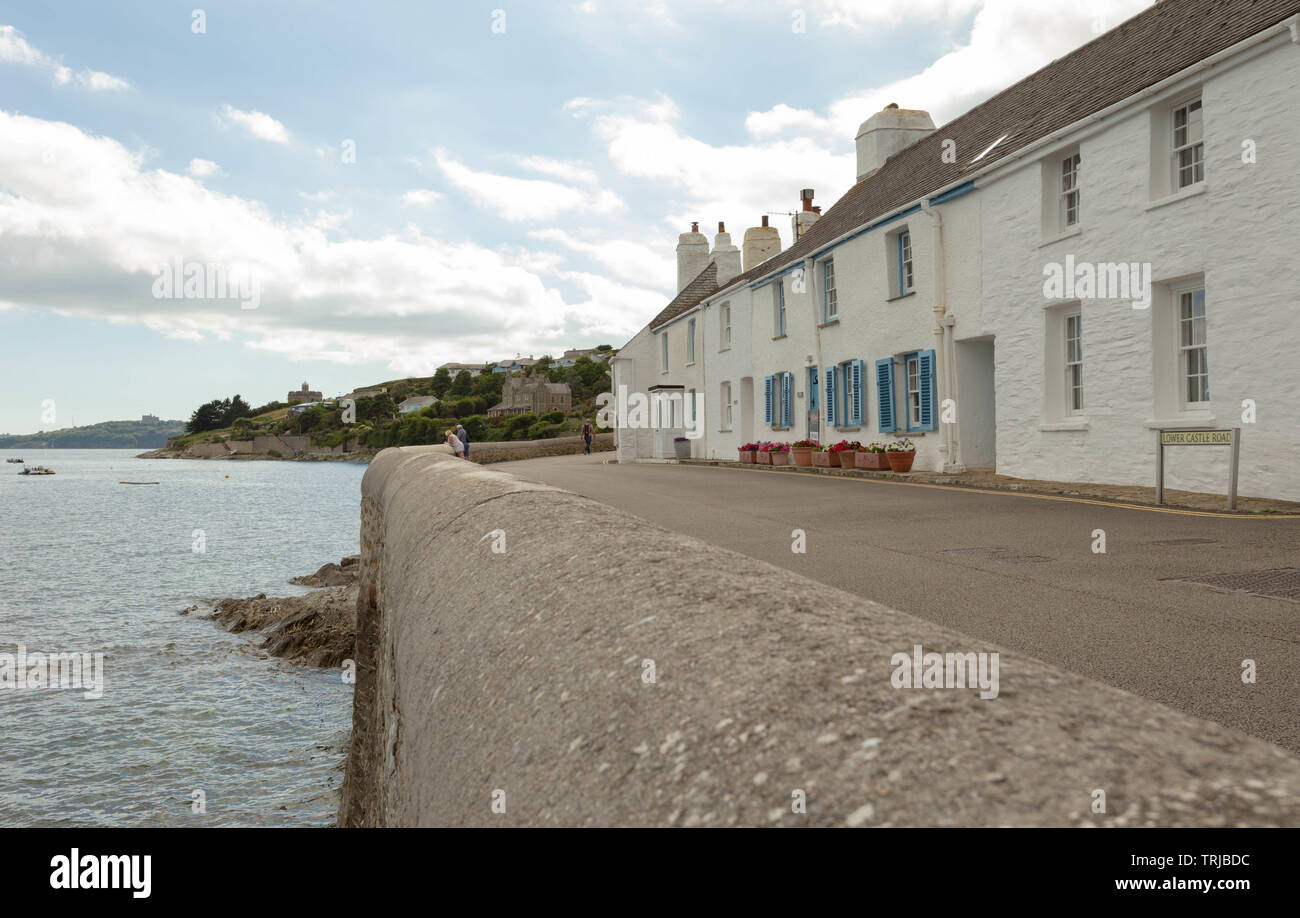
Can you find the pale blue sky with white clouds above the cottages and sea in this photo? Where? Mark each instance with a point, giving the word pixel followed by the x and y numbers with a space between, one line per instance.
pixel 383 188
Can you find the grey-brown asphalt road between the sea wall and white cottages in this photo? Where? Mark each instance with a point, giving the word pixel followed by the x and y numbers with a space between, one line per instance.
pixel 1116 617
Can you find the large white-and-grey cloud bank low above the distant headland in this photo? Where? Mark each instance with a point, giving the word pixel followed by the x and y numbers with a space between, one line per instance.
pixel 85 231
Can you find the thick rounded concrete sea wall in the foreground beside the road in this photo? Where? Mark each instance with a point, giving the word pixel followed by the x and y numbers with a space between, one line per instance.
pixel 513 688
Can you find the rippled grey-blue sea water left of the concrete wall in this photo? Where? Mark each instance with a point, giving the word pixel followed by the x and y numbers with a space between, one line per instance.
pixel 89 565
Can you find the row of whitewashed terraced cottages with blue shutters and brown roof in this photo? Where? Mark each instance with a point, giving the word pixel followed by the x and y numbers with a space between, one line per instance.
pixel 1037 287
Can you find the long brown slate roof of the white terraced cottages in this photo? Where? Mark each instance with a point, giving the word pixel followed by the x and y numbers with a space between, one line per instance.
pixel 1152 46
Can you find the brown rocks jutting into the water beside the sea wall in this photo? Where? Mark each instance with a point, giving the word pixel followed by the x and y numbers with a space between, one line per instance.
pixel 318 629
